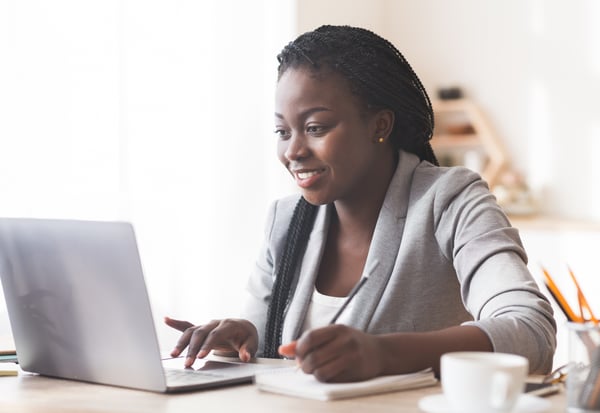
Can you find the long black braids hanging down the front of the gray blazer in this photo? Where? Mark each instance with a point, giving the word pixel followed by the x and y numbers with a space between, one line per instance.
pixel 295 244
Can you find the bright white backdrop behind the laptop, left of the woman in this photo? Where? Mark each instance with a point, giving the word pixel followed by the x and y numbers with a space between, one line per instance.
pixel 154 112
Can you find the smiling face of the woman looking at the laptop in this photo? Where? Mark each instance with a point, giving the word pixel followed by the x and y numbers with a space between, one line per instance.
pixel 326 138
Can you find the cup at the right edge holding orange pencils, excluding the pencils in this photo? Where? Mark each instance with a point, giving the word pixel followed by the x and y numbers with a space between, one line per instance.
pixel 583 373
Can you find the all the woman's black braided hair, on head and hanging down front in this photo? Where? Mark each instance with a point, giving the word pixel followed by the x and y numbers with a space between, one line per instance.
pixel 382 78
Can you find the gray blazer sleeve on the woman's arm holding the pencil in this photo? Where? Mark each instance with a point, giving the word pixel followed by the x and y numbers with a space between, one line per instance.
pixel 491 264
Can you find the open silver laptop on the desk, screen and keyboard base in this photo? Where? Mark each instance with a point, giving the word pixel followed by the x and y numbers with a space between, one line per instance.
pixel 79 308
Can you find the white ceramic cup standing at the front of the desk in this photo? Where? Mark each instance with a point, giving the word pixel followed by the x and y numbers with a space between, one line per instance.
pixel 482 382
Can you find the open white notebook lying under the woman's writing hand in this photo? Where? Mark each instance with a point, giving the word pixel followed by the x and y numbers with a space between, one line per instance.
pixel 293 382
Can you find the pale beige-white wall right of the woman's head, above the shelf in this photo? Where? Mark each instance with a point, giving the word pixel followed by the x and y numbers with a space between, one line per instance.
pixel 532 65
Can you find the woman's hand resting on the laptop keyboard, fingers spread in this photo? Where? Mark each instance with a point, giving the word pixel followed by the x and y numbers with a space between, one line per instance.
pixel 228 335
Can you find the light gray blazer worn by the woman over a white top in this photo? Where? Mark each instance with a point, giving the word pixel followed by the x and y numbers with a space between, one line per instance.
pixel 447 255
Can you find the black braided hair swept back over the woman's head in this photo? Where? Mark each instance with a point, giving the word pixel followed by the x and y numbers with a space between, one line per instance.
pixel 378 74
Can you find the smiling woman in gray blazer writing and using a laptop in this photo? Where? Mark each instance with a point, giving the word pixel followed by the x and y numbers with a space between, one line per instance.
pixel 446 270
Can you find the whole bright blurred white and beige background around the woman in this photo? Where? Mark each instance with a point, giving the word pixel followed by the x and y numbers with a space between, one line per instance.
pixel 160 113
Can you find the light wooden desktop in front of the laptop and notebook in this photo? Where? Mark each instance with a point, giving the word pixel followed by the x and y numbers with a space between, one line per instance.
pixel 31 394
